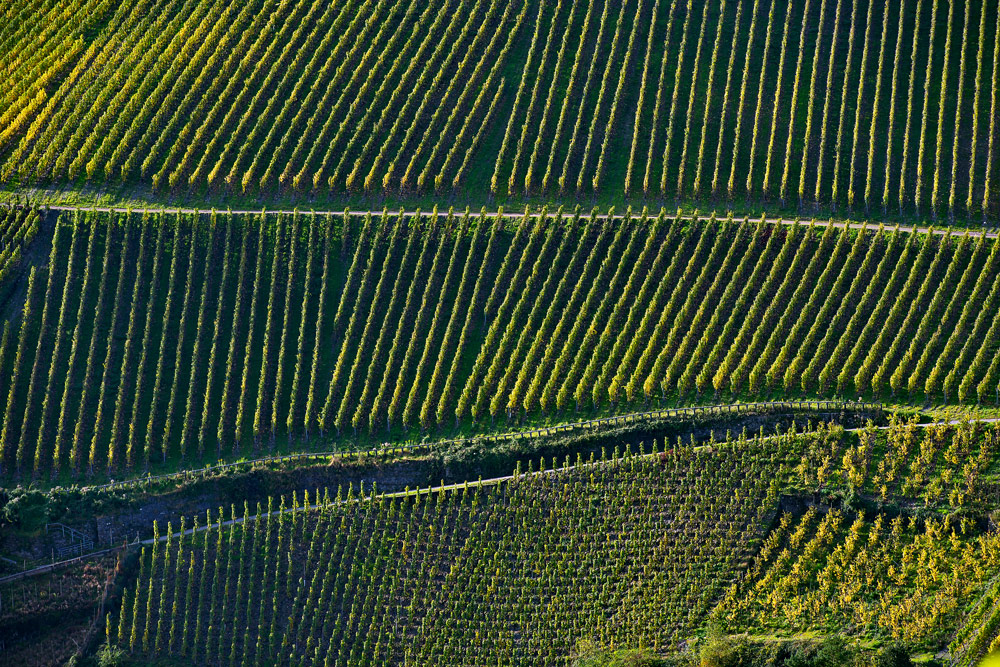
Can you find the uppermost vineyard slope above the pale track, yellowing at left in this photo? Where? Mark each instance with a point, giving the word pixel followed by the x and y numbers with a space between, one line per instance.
pixel 873 107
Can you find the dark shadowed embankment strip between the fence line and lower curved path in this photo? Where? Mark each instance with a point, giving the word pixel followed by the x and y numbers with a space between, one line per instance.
pixel 127 512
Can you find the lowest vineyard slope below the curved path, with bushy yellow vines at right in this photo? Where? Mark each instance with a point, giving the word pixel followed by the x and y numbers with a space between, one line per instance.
pixel 635 551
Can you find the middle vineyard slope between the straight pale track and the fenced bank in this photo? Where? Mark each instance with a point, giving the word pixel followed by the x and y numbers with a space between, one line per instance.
pixel 197 337
